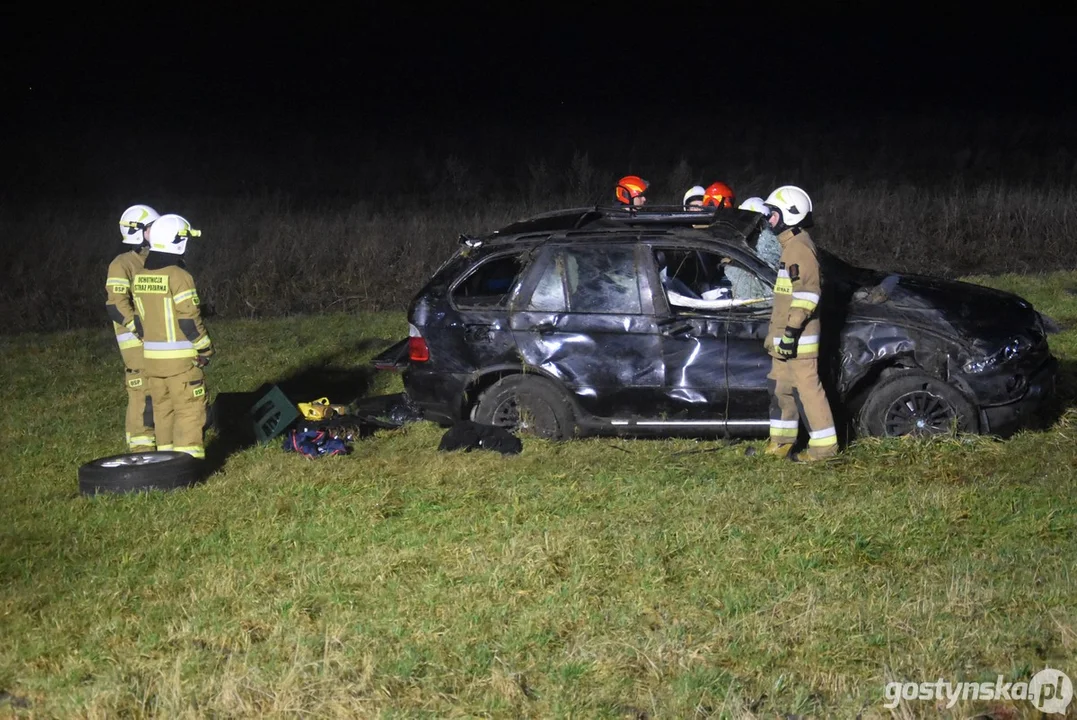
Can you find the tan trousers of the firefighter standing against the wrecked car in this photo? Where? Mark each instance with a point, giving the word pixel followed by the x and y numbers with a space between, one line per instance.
pixel 796 393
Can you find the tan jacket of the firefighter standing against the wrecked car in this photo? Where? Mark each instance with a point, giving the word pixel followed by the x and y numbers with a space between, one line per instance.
pixel 796 294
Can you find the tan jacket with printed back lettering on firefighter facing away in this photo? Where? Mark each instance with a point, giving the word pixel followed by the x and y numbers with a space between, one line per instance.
pixel 167 305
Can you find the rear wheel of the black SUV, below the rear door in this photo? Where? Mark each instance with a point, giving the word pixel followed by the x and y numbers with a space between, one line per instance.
pixel 547 412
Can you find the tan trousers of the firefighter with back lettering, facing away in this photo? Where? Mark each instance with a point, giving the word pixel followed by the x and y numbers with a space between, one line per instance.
pixel 179 412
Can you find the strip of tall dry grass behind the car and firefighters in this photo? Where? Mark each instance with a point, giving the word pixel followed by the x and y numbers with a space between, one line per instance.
pixel 262 258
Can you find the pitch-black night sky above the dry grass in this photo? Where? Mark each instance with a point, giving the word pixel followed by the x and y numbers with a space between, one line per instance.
pixel 80 82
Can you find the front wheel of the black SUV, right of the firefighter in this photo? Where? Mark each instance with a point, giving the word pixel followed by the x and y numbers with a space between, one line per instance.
pixel 912 403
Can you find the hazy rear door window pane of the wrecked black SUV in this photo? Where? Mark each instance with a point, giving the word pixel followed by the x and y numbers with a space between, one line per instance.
pixel 603 280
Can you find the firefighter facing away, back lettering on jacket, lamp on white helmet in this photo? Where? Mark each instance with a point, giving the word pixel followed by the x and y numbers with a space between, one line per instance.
pixel 175 344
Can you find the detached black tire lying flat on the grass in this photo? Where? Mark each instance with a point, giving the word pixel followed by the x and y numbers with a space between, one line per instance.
pixel 134 473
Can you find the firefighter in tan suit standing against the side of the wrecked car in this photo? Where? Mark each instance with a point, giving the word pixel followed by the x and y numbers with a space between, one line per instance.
pixel 793 337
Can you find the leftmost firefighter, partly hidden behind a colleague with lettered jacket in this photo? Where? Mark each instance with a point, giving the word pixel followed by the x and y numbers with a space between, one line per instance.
pixel 134 223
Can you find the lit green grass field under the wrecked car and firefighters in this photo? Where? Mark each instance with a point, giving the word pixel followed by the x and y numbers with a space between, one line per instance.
pixel 604 578
